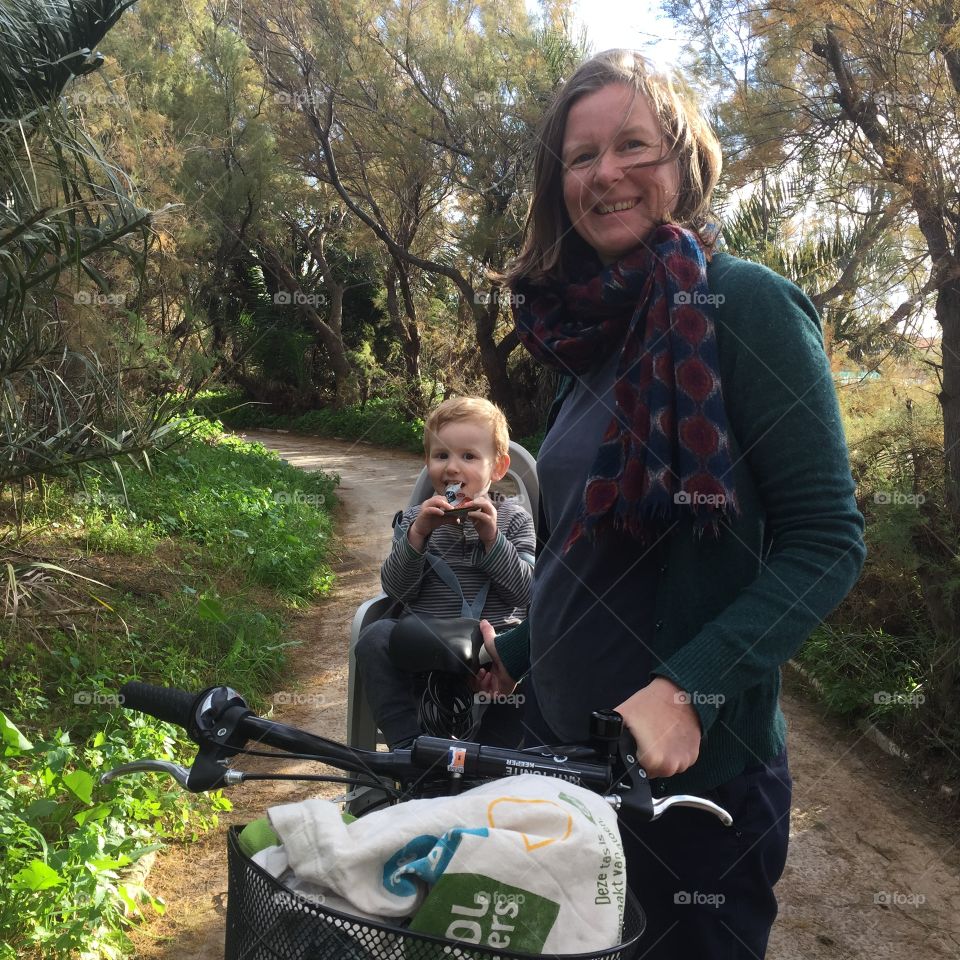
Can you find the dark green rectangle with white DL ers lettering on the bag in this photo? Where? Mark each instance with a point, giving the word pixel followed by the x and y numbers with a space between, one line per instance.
pixel 472 908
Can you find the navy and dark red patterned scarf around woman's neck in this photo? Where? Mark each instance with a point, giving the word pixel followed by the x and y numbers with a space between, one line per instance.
pixel 666 449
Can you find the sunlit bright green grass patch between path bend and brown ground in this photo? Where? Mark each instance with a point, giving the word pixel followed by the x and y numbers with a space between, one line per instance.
pixel 251 512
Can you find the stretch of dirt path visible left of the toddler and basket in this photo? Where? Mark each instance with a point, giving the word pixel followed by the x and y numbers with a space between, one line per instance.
pixel 192 878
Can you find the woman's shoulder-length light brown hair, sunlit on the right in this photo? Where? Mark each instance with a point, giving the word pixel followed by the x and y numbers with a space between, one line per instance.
pixel 548 233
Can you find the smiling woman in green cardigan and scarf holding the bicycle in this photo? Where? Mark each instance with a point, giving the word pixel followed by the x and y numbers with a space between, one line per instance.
pixel 697 510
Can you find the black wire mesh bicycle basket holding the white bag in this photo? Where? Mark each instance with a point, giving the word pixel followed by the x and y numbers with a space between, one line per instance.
pixel 266 921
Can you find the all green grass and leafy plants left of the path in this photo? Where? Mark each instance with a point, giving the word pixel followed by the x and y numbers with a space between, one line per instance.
pixel 201 558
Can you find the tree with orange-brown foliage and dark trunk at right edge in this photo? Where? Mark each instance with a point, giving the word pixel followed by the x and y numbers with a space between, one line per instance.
pixel 868 93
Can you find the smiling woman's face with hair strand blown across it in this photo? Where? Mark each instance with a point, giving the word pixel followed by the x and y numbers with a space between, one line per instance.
pixel 607 132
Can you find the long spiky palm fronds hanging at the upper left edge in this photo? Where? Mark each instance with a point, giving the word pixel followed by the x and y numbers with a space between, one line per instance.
pixel 66 215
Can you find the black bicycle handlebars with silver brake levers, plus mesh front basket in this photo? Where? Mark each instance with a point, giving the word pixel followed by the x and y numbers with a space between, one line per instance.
pixel 265 921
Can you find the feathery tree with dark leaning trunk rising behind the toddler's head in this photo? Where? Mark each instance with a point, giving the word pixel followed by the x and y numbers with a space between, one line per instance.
pixel 435 97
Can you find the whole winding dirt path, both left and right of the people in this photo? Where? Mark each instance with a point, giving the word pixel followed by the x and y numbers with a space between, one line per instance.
pixel 873 871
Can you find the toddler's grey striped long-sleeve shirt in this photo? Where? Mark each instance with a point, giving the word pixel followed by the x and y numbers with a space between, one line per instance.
pixel 508 566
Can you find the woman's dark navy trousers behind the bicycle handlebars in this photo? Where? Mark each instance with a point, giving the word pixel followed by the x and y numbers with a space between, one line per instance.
pixel 706 889
